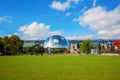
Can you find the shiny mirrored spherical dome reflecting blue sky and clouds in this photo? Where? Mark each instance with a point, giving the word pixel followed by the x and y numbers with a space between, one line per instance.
pixel 56 41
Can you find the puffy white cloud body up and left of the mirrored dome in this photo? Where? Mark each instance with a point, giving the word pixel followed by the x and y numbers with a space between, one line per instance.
pixel 34 30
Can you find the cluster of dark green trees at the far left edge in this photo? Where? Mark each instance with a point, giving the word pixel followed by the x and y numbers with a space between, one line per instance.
pixel 10 45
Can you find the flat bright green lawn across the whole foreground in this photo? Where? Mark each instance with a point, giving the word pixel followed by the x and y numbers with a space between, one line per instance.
pixel 59 67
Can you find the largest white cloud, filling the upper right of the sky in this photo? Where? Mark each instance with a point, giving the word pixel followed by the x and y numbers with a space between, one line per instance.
pixel 106 23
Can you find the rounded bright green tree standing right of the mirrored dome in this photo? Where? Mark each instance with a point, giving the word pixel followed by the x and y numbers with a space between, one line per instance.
pixel 86 46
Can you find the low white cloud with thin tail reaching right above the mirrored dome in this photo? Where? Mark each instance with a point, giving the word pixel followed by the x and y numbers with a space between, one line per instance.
pixel 35 31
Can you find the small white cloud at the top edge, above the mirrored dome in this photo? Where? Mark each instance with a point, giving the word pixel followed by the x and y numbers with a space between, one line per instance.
pixel 62 6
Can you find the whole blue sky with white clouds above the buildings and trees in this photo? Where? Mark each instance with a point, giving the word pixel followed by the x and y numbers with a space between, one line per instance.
pixel 73 19
